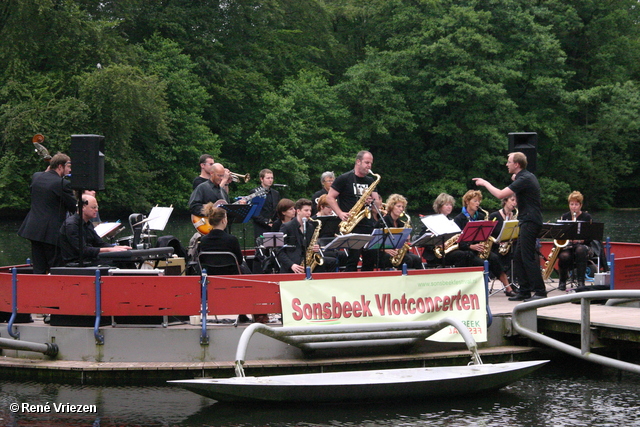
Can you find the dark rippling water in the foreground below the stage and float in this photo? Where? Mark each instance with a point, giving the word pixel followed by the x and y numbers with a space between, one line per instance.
pixel 559 395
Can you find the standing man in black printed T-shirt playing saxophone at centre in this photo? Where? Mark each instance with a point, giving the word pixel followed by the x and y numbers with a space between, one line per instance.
pixel 345 192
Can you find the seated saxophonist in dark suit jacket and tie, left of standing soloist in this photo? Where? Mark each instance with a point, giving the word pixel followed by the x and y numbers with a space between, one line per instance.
pixel 299 233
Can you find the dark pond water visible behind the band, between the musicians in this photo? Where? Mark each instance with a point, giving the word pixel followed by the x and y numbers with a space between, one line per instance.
pixel 620 226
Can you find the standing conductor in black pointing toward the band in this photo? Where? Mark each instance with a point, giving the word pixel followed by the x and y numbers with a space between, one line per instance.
pixel 526 188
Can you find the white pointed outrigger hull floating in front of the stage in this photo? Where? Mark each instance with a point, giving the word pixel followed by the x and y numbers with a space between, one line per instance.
pixel 409 383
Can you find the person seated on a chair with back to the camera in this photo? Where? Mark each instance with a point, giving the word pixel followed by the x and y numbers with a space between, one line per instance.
pixel 218 240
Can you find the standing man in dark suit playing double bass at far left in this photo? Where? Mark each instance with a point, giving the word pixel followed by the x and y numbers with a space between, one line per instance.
pixel 51 199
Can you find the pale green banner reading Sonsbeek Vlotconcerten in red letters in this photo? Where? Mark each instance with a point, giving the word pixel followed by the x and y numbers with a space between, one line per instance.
pixel 389 299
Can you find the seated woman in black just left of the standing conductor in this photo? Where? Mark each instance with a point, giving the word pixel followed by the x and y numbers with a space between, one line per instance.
pixel 467 254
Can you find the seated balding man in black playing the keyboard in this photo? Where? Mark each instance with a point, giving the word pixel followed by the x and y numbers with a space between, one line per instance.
pixel 92 243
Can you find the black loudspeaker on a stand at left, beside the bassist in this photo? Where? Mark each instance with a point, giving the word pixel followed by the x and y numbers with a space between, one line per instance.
pixel 87 162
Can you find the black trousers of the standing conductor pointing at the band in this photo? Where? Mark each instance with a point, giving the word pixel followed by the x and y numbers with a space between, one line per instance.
pixel 526 263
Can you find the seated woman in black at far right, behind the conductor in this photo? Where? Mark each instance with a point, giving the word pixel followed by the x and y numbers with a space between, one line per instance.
pixel 577 253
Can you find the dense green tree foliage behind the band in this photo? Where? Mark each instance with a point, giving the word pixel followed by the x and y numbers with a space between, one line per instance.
pixel 431 87
